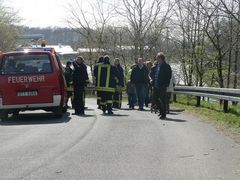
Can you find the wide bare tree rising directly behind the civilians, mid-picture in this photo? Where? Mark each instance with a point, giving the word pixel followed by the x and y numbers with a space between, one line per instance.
pixel 141 16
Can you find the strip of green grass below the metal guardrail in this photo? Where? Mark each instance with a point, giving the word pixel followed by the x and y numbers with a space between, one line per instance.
pixel 212 111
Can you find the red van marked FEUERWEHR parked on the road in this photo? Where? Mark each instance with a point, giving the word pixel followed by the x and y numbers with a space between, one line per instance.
pixel 31 79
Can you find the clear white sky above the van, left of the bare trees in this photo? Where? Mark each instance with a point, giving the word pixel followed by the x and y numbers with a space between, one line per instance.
pixel 40 13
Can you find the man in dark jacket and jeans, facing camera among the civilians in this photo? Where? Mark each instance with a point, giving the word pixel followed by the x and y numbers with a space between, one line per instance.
pixel 140 78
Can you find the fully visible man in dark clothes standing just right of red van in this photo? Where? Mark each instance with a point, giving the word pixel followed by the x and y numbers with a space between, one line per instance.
pixel 80 79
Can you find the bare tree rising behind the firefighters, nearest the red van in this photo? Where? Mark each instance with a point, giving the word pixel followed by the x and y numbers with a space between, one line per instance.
pixel 90 25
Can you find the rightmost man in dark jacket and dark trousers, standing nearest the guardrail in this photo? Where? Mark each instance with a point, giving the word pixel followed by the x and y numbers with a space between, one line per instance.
pixel 161 75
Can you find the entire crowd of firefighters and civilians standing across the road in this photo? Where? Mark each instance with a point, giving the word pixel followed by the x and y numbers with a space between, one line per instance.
pixel 148 83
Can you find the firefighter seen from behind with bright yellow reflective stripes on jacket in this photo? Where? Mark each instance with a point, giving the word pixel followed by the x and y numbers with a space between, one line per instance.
pixel 106 76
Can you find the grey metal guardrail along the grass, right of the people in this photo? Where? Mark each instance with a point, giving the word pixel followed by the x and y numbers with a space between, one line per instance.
pixel 224 94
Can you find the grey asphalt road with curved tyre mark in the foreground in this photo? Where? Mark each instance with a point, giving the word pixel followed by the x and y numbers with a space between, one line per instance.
pixel 130 144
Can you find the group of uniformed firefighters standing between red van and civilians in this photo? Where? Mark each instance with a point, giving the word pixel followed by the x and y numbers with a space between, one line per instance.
pixel 109 82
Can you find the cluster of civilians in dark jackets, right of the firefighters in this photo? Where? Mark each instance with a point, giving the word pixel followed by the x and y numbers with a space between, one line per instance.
pixel 151 83
